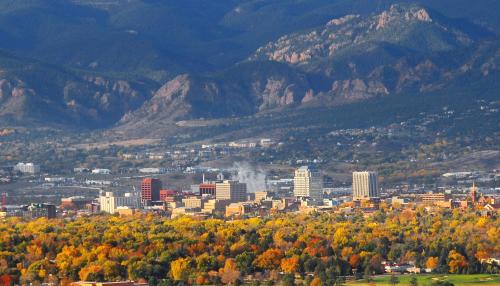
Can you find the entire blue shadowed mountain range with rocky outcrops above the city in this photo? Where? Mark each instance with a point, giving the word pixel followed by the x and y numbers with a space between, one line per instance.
pixel 93 64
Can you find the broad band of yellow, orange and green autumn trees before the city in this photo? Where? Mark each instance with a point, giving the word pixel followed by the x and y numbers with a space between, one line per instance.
pixel 147 248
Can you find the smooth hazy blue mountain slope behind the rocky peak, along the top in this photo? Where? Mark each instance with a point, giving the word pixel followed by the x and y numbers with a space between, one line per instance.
pixel 164 37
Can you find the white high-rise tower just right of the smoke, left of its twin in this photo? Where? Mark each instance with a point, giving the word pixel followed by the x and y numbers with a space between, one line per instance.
pixel 308 182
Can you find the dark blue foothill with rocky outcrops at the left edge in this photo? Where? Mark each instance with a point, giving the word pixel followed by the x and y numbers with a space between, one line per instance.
pixel 33 93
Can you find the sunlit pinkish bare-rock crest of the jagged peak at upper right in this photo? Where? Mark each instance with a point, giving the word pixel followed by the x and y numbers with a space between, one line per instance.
pixel 407 26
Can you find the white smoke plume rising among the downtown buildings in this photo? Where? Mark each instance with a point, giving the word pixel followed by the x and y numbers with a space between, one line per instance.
pixel 254 177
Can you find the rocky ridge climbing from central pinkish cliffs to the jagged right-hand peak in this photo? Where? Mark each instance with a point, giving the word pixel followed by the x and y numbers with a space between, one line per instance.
pixel 349 59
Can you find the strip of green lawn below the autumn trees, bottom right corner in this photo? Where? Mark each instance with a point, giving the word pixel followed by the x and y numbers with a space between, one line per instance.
pixel 425 279
